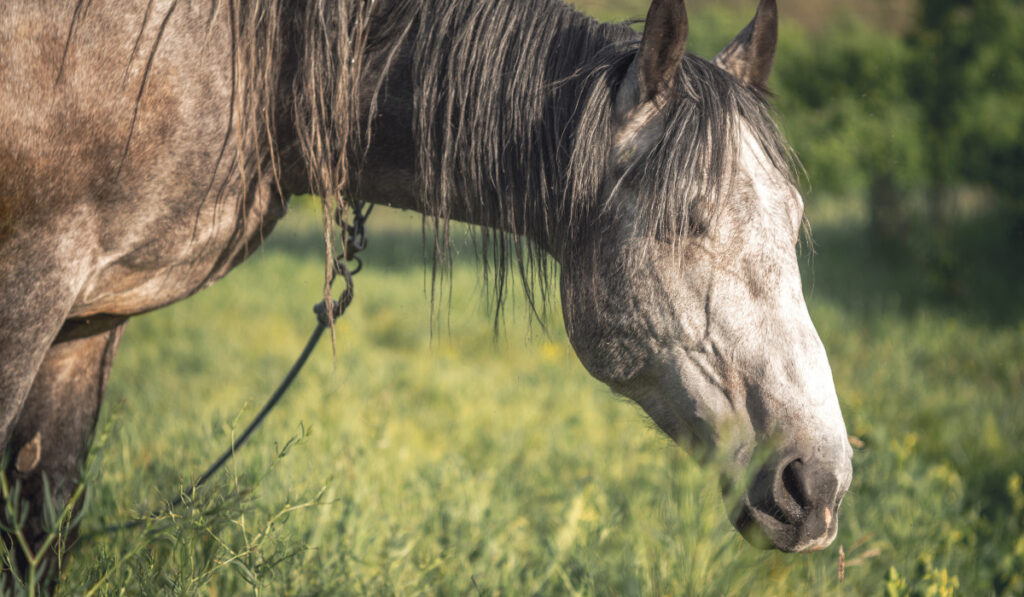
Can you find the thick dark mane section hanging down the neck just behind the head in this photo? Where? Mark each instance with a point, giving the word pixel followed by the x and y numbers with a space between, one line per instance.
pixel 513 120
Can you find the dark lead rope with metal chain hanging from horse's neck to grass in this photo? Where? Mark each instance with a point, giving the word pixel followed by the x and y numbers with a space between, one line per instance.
pixel 356 241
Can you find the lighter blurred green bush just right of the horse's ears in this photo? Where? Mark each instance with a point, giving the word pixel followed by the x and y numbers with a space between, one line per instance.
pixel 846 109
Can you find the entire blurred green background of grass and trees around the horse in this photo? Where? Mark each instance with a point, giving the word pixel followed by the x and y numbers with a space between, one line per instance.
pixel 424 455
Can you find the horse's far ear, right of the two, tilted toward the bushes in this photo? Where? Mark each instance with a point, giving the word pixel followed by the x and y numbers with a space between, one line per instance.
pixel 750 56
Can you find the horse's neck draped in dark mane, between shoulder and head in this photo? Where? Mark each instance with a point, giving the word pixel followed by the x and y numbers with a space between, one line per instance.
pixel 472 110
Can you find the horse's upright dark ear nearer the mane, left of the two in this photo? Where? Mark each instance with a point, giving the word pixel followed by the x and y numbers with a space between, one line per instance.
pixel 662 49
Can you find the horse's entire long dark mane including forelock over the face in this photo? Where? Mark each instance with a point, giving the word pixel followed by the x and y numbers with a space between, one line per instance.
pixel 514 120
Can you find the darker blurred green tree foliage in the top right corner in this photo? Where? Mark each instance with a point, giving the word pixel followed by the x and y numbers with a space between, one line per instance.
pixel 968 76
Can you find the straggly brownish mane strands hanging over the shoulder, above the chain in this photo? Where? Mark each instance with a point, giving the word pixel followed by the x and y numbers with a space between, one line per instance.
pixel 323 42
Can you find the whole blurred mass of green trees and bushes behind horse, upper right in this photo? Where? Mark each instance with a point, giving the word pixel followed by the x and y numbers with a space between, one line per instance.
pixel 937 108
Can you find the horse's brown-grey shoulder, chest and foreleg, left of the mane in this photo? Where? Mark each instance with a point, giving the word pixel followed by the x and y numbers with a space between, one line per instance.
pixel 112 203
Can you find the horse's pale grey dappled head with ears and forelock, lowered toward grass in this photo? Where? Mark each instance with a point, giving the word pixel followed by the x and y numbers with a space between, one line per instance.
pixel 686 294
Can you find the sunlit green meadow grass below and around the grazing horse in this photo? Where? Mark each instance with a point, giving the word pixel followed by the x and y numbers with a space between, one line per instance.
pixel 436 458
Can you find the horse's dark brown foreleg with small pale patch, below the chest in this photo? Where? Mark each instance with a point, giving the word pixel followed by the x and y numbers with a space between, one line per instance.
pixel 53 436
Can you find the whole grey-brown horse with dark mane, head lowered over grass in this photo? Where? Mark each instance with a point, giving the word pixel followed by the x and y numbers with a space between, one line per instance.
pixel 147 148
